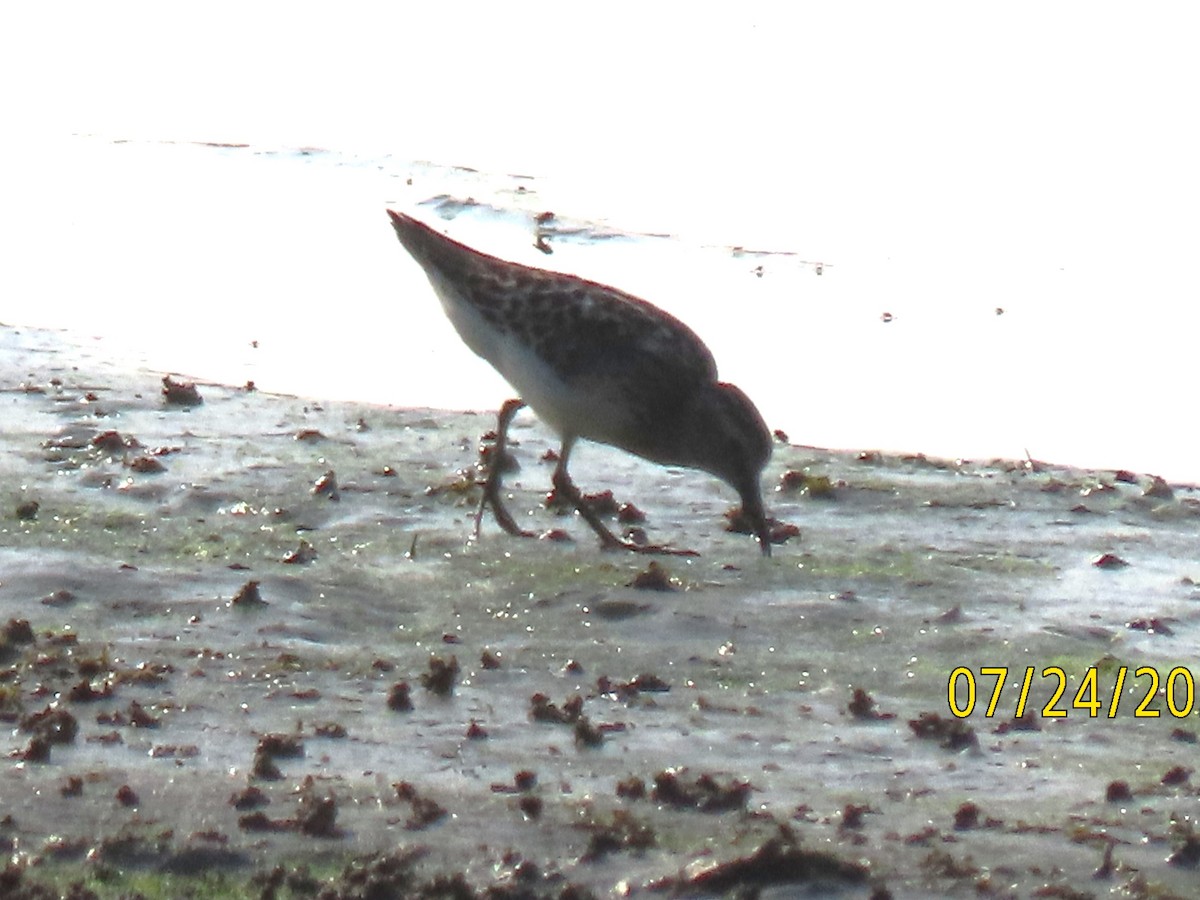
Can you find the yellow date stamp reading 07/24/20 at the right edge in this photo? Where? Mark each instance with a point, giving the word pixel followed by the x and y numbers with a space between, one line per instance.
pixel 1099 693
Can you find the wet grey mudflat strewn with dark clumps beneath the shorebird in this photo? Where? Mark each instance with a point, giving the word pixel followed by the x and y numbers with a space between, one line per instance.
pixel 250 635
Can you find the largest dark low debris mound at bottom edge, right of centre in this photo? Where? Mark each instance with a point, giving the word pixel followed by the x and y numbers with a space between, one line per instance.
pixel 779 861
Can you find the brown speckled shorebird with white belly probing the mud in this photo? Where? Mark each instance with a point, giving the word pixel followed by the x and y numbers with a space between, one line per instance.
pixel 596 363
